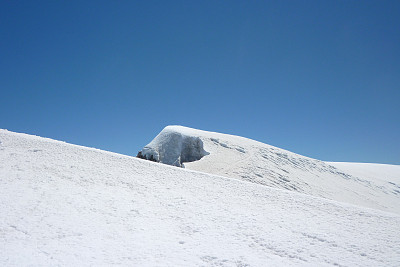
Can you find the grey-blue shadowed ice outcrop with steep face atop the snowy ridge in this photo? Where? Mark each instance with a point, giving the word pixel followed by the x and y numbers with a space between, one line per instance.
pixel 174 147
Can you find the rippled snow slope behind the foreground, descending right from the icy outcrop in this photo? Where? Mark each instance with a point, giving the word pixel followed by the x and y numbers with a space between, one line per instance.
pixel 249 160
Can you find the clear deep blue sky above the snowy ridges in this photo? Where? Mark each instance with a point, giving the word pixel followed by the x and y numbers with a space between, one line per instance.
pixel 319 78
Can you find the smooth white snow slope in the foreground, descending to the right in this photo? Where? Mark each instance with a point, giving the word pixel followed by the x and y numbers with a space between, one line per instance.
pixel 66 205
